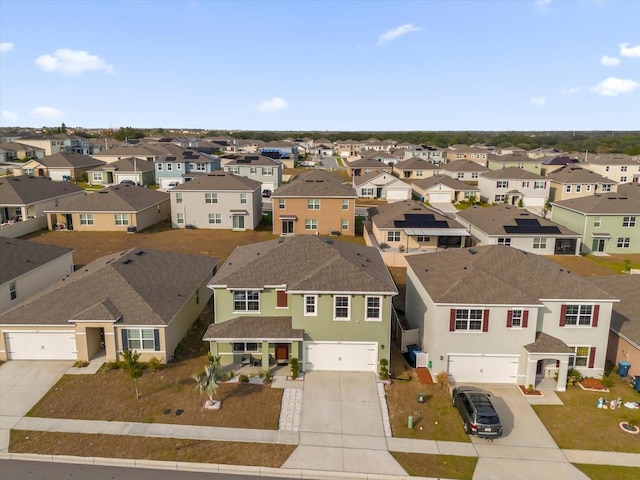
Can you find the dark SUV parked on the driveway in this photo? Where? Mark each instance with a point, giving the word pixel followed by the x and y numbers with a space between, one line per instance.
pixel 478 413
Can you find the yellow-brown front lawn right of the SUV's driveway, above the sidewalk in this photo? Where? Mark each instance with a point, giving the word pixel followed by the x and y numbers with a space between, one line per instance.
pixel 579 424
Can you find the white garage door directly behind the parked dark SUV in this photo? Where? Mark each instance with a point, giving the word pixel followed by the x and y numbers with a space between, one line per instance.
pixel 483 368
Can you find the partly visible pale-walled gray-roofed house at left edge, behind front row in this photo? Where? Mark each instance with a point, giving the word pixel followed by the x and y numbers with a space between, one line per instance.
pixel 30 267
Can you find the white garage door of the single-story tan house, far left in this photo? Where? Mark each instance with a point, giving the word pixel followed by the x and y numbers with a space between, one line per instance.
pixel 41 345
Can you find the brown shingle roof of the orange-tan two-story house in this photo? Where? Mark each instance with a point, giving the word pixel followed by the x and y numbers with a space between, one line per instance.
pixel 316 184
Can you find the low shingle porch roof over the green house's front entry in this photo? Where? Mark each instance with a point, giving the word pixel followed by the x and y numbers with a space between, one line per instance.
pixel 258 328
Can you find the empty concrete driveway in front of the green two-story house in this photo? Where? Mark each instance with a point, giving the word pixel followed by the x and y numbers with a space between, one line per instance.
pixel 341 426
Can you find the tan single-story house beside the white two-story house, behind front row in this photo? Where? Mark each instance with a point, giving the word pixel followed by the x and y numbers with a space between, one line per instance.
pixel 120 208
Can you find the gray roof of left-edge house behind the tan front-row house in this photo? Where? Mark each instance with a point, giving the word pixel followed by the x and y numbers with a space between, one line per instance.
pixel 21 256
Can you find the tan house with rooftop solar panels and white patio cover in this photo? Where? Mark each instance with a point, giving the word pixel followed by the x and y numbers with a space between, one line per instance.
pixel 410 225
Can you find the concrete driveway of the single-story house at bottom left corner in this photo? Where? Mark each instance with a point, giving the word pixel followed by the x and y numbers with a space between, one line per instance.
pixel 22 384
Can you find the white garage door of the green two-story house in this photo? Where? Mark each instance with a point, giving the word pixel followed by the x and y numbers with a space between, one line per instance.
pixel 341 356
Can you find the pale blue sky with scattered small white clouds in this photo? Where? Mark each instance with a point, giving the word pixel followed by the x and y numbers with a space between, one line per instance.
pixel 322 65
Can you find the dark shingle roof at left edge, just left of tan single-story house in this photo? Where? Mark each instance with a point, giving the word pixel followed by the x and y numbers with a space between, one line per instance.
pixel 25 190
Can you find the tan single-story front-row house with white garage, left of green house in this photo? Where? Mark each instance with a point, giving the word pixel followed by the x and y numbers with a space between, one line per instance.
pixel 141 300
